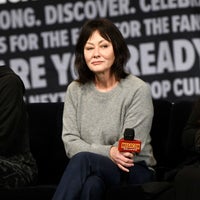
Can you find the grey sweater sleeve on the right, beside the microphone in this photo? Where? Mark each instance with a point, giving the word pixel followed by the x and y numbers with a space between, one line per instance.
pixel 140 116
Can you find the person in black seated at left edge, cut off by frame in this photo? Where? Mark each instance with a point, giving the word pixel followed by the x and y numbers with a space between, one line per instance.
pixel 17 165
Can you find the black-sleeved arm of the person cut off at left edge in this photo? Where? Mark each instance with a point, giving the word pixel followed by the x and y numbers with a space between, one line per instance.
pixel 11 109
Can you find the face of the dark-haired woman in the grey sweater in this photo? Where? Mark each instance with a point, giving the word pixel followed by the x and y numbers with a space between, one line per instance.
pixel 99 54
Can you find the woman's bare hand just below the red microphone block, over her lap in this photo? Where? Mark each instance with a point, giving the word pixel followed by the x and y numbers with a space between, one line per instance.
pixel 123 160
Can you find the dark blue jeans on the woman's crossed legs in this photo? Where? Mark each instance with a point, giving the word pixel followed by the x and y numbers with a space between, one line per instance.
pixel 87 176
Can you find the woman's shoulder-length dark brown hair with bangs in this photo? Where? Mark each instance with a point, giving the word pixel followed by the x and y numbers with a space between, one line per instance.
pixel 109 32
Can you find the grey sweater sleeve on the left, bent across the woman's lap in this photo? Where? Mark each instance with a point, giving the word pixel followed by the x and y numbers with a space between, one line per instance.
pixel 71 135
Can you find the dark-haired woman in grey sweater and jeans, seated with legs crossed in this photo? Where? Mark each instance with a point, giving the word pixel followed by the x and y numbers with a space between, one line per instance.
pixel 99 106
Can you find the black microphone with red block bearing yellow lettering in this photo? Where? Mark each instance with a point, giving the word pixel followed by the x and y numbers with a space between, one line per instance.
pixel 128 143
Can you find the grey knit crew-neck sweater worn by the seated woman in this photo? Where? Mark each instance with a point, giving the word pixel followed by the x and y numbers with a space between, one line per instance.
pixel 94 121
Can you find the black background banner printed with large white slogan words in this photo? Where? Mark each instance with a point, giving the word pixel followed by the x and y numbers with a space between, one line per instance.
pixel 37 40
